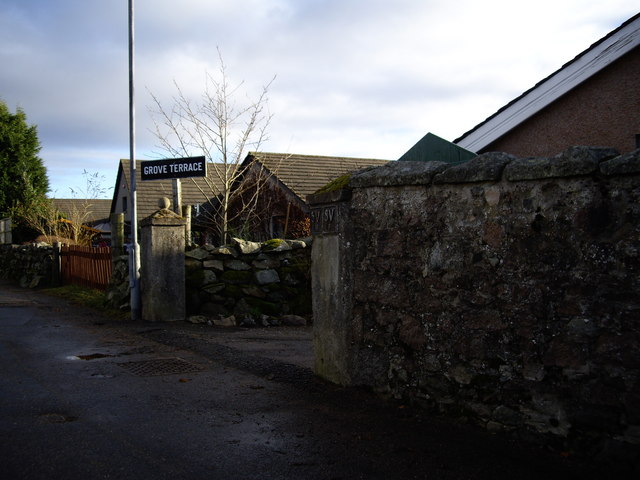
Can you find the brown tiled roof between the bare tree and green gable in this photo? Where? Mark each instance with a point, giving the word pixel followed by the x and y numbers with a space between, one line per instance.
pixel 306 174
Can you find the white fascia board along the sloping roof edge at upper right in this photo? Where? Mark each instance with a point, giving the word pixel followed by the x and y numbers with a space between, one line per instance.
pixel 549 90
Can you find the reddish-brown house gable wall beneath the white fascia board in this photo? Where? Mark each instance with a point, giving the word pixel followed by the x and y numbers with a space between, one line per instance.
pixel 604 110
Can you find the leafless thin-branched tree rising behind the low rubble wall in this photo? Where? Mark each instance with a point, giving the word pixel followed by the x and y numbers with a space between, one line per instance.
pixel 223 131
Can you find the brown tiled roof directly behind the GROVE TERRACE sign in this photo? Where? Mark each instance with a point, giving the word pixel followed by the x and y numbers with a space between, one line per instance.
pixel 195 191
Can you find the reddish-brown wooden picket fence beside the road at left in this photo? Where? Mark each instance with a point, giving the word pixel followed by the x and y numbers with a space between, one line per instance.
pixel 85 266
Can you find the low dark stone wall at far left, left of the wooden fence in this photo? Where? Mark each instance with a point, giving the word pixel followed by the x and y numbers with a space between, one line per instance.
pixel 29 266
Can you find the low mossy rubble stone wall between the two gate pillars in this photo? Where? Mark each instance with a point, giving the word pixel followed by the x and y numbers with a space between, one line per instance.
pixel 248 282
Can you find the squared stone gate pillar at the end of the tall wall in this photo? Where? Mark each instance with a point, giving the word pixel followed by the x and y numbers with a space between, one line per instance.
pixel 331 281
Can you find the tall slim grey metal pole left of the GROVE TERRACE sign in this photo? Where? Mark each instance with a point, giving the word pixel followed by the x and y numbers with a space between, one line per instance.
pixel 134 252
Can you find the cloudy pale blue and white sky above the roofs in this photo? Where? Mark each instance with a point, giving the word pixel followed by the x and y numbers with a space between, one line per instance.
pixel 362 78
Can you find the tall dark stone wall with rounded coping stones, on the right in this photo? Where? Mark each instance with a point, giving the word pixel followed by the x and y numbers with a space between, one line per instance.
pixel 504 290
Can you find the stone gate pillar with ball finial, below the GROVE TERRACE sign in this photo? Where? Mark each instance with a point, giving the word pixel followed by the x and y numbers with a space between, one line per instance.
pixel 162 275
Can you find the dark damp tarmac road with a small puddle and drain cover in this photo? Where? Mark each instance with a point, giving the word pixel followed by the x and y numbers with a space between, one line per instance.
pixel 85 397
